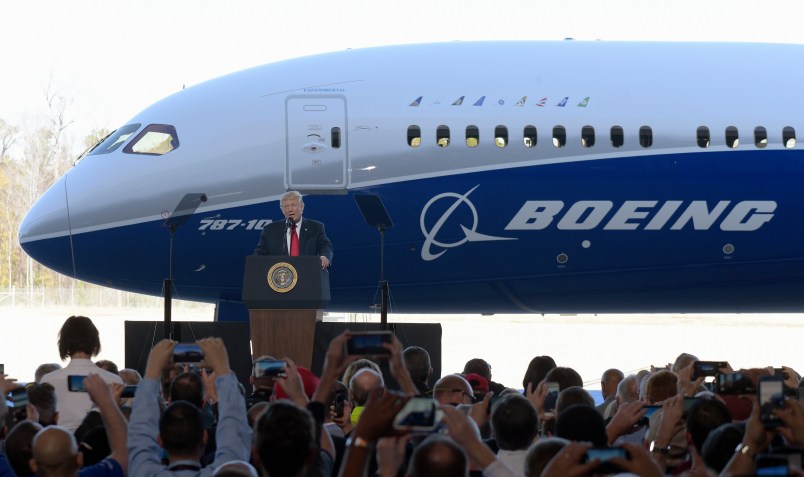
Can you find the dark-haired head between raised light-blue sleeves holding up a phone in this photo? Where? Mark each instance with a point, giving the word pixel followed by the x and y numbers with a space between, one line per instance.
pixel 181 431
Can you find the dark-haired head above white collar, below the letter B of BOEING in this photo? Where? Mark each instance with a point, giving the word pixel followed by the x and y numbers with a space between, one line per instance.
pixel 514 422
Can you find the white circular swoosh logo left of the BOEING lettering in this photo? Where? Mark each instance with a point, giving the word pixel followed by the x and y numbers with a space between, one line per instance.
pixel 470 234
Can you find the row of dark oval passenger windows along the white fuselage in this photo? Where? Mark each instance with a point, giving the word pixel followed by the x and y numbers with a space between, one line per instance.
pixel 616 136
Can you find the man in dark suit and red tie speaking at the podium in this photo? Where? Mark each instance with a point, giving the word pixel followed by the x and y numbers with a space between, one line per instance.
pixel 277 238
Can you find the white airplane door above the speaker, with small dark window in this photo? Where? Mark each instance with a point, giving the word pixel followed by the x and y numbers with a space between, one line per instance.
pixel 316 141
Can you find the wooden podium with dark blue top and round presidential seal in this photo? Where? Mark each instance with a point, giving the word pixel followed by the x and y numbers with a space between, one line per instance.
pixel 285 297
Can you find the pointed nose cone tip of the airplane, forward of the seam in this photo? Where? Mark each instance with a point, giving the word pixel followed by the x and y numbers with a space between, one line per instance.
pixel 44 233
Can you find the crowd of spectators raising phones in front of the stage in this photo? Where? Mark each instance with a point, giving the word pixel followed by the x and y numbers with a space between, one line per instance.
pixel 198 420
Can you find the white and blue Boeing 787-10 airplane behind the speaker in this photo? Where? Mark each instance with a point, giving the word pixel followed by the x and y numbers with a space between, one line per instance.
pixel 521 177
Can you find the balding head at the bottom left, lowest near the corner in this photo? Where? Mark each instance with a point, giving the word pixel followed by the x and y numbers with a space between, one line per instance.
pixel 55 453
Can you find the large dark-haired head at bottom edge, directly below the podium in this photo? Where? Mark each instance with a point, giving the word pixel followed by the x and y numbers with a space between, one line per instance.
pixel 284 439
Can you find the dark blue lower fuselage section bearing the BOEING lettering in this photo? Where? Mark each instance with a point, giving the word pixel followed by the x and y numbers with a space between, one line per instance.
pixel 666 233
